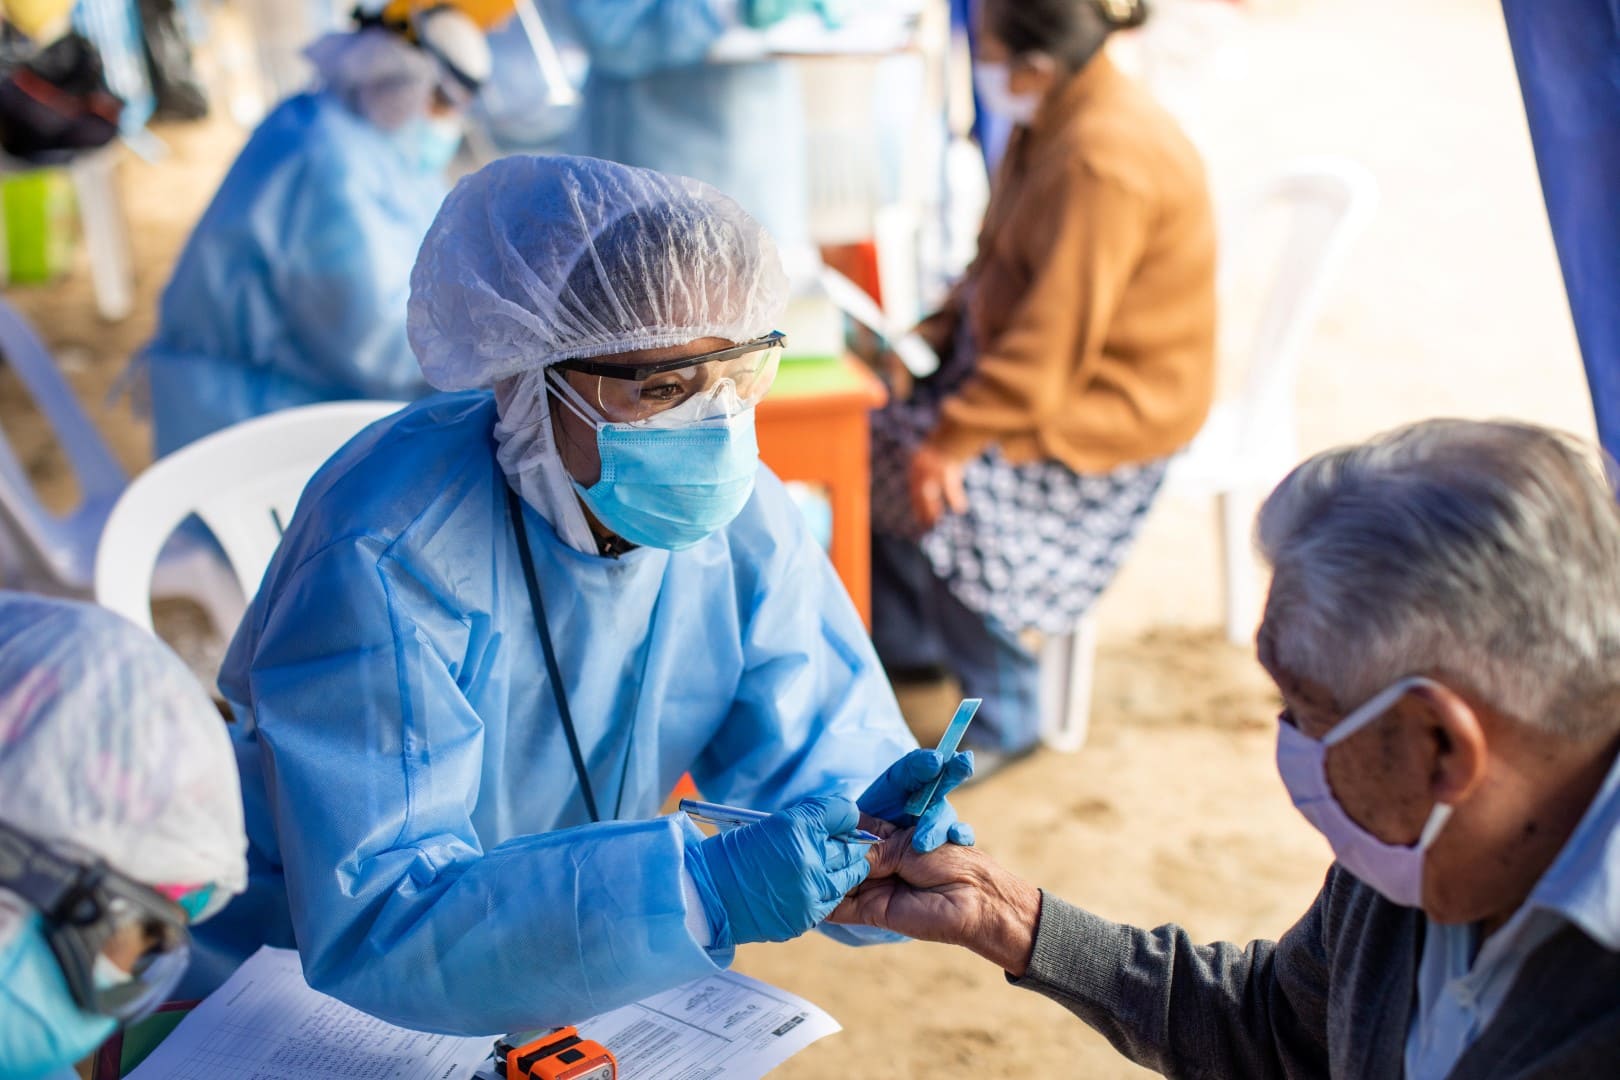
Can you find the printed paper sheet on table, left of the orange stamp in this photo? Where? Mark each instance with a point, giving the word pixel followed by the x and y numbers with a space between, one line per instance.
pixel 266 1024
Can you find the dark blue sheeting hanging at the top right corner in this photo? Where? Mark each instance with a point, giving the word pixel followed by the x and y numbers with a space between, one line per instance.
pixel 1569 64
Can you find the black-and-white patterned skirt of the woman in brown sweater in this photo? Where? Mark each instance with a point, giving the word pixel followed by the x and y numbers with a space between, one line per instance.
pixel 1039 542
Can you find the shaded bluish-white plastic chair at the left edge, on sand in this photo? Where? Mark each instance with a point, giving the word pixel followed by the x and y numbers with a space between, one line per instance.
pixel 56 553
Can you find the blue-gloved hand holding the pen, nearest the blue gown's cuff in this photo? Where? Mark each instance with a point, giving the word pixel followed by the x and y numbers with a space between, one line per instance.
pixel 780 877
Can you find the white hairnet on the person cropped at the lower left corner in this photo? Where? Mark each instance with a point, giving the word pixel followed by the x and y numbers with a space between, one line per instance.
pixel 108 742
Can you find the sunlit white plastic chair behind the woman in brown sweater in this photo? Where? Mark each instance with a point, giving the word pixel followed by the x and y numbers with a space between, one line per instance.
pixel 1248 443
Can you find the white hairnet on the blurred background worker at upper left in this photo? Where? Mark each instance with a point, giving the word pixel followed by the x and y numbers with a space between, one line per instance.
pixel 388 80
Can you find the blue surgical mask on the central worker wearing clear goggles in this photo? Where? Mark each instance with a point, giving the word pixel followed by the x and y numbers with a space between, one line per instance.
pixel 676 480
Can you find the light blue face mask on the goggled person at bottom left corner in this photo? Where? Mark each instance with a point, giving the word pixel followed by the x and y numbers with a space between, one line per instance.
pixel 43 1031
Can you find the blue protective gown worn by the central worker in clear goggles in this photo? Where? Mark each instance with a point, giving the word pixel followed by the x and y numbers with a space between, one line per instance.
pixel 414 817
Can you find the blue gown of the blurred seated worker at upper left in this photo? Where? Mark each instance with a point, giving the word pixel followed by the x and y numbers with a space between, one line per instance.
pixel 294 286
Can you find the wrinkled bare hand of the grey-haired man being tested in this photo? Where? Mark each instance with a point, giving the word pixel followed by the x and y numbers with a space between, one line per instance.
pixel 955 896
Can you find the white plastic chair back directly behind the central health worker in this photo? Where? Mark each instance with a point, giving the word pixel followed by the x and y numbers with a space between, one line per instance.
pixel 244 483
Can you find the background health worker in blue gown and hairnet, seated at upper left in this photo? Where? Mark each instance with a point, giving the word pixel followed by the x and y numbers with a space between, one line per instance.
pixel 294 286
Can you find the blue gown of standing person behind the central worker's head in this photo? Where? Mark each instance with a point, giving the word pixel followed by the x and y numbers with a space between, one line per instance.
pixel 654 101
